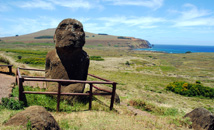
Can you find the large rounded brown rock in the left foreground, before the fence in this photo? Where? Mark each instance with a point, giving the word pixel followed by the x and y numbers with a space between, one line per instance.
pixel 40 119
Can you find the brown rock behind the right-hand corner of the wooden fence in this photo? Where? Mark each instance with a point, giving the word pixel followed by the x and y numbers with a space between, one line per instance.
pixel 116 99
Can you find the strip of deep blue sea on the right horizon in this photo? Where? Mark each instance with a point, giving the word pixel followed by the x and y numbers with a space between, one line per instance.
pixel 179 48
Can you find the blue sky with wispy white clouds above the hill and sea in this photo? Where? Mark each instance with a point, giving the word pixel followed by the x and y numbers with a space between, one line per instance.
pixel 174 22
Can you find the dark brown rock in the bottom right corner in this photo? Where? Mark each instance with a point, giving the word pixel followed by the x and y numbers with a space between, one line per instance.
pixel 201 119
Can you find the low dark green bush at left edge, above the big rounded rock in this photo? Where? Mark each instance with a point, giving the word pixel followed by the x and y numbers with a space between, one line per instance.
pixel 11 103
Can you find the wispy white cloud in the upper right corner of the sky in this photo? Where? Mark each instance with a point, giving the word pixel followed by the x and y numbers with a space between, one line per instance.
pixel 192 16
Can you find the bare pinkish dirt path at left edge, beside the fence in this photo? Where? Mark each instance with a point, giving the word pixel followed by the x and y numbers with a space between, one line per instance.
pixel 5 83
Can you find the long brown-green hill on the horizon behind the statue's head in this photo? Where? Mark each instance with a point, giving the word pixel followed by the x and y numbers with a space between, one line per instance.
pixel 92 40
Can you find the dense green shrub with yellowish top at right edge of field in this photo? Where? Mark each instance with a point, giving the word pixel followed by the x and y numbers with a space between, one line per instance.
pixel 190 90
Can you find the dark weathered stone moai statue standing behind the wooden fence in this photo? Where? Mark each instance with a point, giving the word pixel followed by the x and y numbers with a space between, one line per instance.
pixel 68 60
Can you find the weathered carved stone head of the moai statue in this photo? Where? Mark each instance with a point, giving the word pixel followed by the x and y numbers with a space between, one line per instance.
pixel 69 34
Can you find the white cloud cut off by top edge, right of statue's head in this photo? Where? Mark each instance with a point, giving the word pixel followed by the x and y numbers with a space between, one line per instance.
pixel 155 4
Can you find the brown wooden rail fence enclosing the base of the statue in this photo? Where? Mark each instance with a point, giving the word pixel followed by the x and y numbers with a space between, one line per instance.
pixel 20 79
